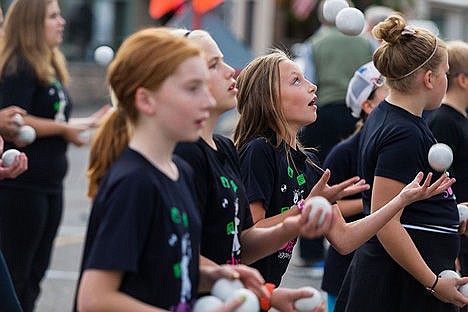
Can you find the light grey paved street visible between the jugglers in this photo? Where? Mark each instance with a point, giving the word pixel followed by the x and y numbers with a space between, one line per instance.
pixel 59 286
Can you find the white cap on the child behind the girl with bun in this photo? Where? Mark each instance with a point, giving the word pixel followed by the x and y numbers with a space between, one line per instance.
pixel 365 80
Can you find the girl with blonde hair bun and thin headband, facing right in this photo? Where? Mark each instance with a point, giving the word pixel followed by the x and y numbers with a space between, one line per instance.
pixel 401 264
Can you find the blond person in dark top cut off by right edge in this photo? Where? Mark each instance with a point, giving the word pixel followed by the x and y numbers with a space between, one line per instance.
pixel 449 124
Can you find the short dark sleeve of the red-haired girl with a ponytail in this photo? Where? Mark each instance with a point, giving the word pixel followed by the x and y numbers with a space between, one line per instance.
pixel 126 221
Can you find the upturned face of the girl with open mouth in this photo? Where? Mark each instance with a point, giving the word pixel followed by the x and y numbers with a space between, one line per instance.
pixel 297 95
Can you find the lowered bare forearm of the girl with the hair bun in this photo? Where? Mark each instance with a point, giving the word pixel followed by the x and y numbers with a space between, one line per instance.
pixel 399 245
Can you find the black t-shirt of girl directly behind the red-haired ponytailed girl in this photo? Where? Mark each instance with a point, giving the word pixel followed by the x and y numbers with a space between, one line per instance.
pixel 221 197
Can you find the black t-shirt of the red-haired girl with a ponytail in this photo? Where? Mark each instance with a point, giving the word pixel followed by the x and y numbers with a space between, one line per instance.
pixel 147 226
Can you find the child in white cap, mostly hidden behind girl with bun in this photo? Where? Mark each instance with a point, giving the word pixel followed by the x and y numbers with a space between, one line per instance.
pixel 365 91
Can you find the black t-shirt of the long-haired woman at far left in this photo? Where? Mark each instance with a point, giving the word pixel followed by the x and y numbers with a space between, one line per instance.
pixel 47 161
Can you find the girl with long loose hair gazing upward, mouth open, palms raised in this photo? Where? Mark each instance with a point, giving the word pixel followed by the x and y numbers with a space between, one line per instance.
pixel 274 102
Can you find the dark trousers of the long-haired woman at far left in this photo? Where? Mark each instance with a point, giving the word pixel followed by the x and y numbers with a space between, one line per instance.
pixel 28 224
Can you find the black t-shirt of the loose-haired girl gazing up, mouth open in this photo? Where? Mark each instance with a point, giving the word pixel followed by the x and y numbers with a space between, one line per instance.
pixel 279 183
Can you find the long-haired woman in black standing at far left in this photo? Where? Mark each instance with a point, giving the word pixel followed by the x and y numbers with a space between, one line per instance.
pixel 33 76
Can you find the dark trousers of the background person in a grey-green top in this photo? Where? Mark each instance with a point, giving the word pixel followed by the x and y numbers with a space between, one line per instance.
pixel 334 123
